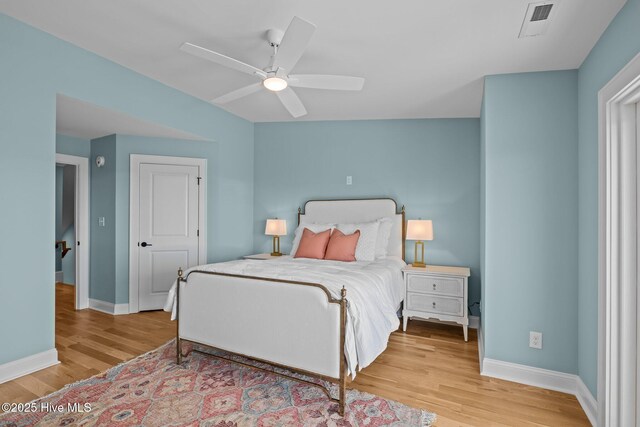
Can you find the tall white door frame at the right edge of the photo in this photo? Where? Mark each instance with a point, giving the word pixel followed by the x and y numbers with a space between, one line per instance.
pixel 618 166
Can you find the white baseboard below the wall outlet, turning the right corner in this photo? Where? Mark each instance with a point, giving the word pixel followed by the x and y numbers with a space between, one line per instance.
pixel 544 378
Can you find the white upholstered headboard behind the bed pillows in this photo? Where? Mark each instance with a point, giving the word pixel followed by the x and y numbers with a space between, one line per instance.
pixel 357 210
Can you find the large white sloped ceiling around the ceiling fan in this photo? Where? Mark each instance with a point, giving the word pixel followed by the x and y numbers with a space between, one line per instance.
pixel 420 58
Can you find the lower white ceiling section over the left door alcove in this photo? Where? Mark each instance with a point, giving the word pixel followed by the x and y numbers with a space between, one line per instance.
pixel 88 121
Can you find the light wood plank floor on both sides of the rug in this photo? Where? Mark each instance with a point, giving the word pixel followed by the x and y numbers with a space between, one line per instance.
pixel 430 366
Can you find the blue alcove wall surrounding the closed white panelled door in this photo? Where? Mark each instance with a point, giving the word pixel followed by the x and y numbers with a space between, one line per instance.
pixel 110 189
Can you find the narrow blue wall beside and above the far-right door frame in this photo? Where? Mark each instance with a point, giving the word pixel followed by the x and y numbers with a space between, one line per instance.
pixel 617 46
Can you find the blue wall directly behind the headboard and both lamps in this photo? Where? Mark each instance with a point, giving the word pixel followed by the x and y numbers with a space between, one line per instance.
pixel 431 166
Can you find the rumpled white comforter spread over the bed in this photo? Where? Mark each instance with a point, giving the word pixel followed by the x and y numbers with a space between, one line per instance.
pixel 374 293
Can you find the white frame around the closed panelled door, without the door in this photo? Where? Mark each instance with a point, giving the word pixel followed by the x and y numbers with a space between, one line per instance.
pixel 134 214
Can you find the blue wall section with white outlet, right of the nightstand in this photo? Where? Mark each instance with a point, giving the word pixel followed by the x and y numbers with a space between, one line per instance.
pixel 531 206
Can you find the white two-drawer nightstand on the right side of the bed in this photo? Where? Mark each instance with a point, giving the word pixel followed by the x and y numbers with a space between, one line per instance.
pixel 436 292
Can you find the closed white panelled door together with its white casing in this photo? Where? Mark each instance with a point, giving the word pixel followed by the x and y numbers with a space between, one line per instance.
pixel 167 225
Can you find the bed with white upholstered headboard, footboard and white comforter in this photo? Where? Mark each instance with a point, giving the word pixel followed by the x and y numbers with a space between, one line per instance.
pixel 324 319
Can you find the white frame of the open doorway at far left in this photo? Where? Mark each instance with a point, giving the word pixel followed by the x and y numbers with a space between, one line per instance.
pixel 81 225
